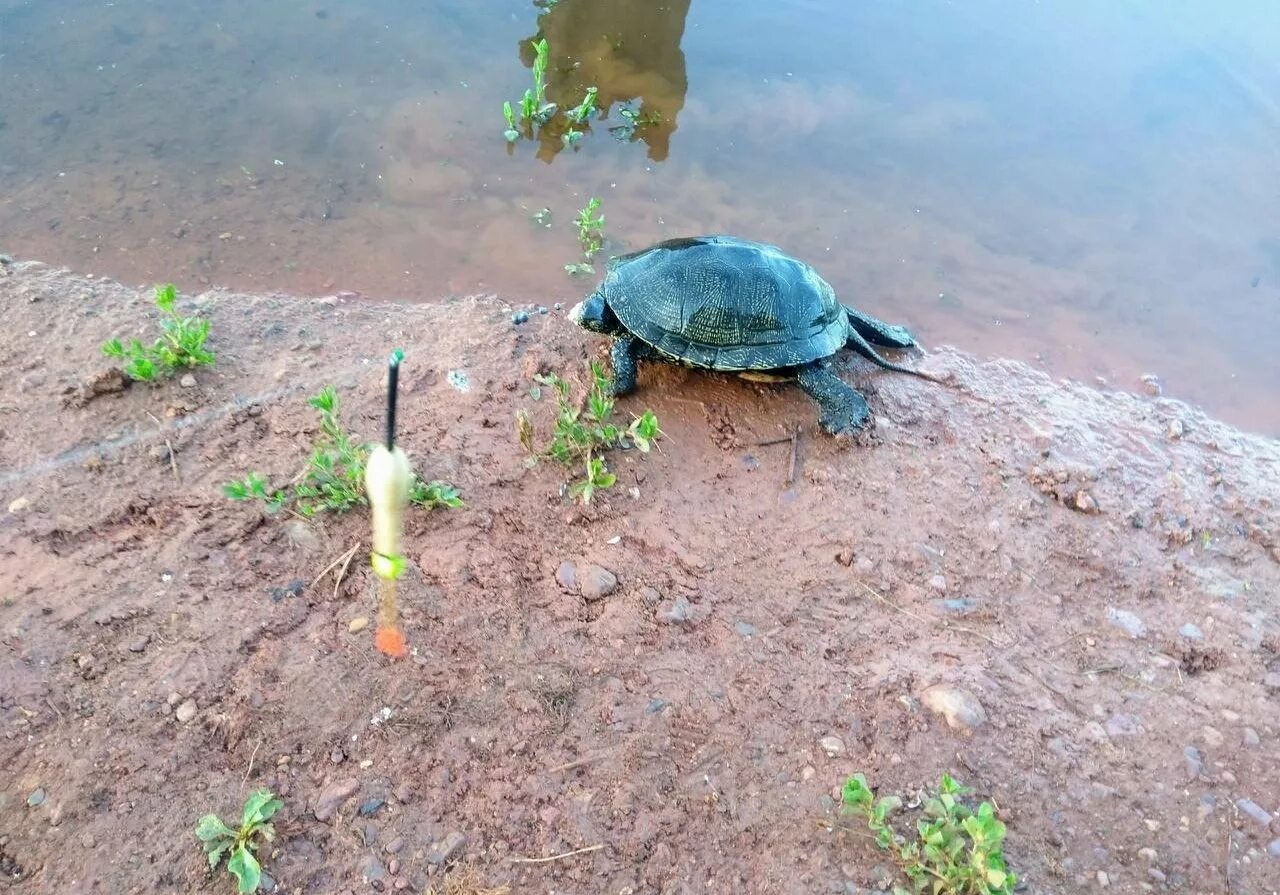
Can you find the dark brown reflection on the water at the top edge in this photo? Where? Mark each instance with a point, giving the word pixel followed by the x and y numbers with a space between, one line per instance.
pixel 628 49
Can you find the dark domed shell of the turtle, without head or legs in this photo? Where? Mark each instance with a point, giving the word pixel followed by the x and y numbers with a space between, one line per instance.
pixel 726 304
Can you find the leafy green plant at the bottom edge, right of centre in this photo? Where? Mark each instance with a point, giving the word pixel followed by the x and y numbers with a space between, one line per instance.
pixel 956 851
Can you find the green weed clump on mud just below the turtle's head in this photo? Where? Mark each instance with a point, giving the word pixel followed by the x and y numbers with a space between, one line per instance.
pixel 584 430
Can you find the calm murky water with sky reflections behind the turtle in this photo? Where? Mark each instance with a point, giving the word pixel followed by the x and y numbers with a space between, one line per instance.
pixel 1090 186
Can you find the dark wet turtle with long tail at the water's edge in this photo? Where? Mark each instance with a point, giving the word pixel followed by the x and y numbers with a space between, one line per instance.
pixel 721 303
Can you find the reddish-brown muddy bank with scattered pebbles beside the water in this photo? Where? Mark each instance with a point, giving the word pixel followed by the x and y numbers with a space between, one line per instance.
pixel 682 757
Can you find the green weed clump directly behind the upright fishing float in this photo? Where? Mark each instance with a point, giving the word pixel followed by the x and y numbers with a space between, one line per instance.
pixel 333 478
